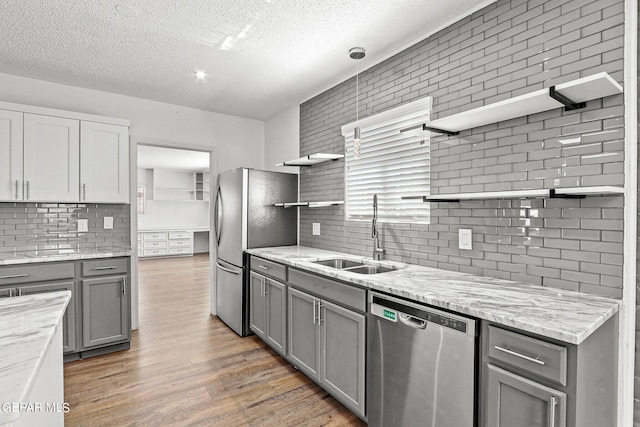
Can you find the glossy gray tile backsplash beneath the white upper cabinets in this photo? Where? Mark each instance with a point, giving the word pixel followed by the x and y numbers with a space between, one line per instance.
pixel 54 226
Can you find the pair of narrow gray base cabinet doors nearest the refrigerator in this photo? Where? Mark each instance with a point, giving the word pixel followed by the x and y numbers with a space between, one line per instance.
pixel 268 311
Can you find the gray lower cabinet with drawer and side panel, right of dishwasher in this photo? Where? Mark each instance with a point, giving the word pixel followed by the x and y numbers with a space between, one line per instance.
pixel 530 380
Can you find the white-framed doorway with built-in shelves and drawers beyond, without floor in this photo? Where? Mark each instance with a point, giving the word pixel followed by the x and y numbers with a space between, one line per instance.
pixel 171 209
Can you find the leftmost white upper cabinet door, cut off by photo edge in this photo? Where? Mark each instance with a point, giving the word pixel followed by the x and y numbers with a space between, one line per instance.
pixel 10 155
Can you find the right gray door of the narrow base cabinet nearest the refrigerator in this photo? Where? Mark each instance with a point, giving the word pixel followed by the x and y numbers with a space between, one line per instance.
pixel 276 305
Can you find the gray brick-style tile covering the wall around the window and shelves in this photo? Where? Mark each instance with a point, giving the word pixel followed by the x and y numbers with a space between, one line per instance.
pixel 509 48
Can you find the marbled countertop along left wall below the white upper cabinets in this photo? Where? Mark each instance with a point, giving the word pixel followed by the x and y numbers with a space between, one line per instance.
pixel 29 257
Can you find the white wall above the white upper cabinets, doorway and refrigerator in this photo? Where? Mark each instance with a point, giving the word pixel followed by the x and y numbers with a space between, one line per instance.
pixel 239 141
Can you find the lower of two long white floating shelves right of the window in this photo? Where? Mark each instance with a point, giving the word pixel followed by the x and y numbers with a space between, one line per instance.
pixel 577 192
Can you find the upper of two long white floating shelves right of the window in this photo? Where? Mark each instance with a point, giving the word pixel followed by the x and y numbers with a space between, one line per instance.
pixel 571 95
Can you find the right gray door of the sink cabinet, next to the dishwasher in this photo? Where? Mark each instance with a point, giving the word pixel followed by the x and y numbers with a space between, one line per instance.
pixel 342 368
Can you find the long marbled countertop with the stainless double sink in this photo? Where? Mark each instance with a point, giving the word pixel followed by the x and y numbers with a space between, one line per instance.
pixel 563 315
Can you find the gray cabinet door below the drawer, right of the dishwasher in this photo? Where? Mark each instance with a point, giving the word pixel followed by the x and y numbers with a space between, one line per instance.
pixel 515 401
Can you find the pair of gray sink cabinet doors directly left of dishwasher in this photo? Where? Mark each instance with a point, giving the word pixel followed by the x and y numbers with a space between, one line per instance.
pixel 327 342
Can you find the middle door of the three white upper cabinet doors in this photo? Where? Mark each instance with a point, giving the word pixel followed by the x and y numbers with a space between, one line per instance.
pixel 51 159
